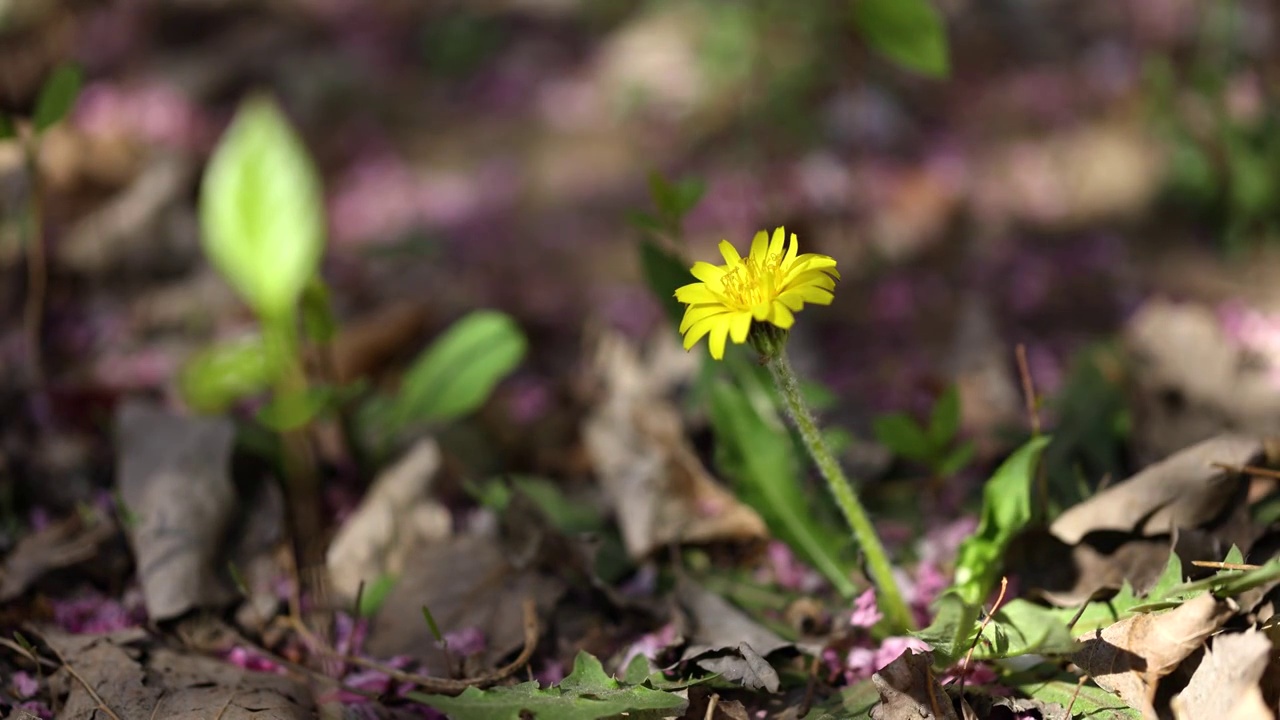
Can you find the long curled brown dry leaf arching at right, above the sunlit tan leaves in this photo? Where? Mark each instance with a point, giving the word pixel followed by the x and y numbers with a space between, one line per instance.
pixel 1183 491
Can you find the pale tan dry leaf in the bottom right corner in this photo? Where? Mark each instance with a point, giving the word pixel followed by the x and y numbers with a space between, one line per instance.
pixel 1226 685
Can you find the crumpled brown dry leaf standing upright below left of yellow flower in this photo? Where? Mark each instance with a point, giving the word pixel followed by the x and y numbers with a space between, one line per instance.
pixel 660 490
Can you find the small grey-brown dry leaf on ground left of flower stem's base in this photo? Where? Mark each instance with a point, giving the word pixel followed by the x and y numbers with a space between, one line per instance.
pixel 724 640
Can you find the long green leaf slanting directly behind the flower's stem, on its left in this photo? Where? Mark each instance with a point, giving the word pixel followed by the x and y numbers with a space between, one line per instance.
pixel 764 462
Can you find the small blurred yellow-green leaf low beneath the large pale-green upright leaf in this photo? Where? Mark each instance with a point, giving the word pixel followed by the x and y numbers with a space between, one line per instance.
pixel 225 375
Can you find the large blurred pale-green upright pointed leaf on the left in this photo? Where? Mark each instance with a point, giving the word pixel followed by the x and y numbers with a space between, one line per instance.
pixel 262 211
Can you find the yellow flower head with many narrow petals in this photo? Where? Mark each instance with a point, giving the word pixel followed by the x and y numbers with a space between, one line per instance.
pixel 767 286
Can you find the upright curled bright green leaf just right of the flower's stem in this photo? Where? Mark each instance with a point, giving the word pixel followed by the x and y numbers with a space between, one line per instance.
pixel 1007 509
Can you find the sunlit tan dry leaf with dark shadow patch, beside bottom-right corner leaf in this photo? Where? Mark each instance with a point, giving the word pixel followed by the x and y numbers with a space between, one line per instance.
pixel 1131 657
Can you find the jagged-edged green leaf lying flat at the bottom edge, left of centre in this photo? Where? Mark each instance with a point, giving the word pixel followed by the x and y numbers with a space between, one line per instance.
pixel 587 694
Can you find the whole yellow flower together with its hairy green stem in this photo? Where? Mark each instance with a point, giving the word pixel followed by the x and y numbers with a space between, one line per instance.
pixel 755 300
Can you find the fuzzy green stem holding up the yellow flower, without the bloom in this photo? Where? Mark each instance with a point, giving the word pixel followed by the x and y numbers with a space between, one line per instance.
pixel 892 604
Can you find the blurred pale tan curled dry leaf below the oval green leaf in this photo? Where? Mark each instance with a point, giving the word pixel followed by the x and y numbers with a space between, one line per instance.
pixel 395 517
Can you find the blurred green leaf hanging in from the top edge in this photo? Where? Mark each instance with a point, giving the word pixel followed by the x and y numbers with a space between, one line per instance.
pixel 909 33
